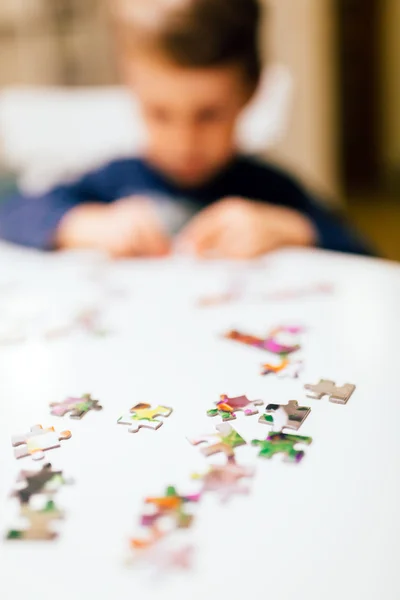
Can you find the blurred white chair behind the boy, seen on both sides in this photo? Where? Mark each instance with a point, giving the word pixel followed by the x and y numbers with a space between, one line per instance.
pixel 52 134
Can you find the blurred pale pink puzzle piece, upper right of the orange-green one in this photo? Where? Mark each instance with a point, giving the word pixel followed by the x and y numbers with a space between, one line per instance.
pixel 225 480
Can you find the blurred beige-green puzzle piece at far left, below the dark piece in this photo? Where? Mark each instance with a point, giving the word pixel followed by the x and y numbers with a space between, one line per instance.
pixel 39 523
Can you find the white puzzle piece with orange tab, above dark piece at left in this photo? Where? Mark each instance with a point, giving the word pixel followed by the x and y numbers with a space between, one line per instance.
pixel 37 440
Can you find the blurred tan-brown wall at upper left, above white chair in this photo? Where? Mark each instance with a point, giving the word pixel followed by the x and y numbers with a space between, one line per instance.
pixel 54 42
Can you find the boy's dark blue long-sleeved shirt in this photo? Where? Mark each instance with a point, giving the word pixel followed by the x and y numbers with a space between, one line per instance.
pixel 33 221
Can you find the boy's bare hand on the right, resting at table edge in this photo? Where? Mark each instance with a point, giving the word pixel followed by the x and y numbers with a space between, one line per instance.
pixel 239 228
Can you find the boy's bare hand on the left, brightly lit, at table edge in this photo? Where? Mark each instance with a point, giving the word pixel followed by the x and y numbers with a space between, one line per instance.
pixel 123 229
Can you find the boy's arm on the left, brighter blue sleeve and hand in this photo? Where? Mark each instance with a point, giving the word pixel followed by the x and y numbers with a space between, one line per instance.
pixel 84 215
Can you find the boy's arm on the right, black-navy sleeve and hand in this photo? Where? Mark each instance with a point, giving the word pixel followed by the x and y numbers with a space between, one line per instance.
pixel 283 215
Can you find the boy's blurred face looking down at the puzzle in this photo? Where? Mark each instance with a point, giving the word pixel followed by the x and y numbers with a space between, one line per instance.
pixel 190 116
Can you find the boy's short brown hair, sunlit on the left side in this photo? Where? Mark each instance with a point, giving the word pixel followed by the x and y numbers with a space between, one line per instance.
pixel 193 33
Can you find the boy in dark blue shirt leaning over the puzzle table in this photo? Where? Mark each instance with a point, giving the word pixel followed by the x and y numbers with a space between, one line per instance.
pixel 193 65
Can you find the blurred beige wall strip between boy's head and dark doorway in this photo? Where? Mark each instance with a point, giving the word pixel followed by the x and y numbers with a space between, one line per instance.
pixel 302 36
